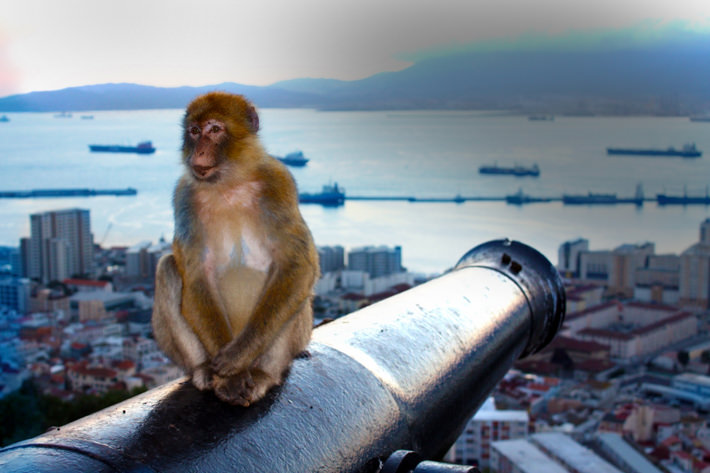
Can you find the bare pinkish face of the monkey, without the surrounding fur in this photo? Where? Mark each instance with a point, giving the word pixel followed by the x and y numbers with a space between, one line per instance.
pixel 206 141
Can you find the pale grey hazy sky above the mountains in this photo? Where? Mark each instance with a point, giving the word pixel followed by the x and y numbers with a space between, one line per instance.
pixel 51 44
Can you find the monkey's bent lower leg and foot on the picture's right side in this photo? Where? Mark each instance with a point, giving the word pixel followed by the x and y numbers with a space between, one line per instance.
pixel 269 369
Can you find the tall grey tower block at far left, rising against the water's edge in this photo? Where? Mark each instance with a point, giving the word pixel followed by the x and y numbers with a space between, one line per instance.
pixel 60 245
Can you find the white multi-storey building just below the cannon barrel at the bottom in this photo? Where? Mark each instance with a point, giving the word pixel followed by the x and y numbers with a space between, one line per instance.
pixel 485 427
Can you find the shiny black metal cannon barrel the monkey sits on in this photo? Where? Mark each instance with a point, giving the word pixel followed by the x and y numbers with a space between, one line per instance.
pixel 405 373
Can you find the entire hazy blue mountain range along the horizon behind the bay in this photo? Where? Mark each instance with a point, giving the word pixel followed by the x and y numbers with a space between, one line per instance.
pixel 667 77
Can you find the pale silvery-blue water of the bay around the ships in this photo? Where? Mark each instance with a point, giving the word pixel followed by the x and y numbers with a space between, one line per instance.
pixel 417 153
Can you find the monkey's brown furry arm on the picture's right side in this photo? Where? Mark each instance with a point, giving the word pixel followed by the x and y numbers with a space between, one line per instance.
pixel 289 283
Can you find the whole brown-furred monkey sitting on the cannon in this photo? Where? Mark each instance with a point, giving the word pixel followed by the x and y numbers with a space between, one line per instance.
pixel 233 300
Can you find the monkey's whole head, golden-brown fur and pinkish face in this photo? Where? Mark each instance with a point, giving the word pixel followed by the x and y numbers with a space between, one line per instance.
pixel 217 127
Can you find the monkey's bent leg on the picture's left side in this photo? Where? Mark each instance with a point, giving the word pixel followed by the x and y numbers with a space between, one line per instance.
pixel 172 332
